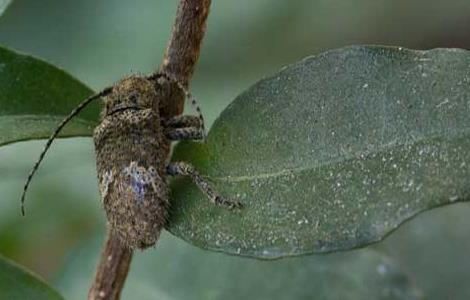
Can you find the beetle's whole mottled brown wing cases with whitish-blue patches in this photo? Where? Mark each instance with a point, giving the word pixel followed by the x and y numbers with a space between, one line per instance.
pixel 131 174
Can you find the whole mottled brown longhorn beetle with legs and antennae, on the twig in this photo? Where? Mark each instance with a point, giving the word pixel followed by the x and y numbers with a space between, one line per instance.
pixel 131 157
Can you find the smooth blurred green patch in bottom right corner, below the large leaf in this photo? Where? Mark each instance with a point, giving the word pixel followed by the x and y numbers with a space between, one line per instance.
pixel 433 248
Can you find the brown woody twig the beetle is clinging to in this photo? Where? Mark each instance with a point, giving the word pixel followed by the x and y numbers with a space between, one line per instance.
pixel 179 62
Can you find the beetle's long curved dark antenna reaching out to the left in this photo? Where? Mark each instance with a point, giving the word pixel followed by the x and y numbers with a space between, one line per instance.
pixel 74 112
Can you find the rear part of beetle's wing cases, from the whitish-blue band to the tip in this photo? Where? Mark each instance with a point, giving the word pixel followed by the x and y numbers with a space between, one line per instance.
pixel 136 204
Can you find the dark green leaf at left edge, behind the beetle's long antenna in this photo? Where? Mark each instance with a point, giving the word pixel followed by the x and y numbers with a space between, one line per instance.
pixel 36 96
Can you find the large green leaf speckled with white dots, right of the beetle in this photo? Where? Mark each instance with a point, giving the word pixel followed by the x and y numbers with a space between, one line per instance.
pixel 332 153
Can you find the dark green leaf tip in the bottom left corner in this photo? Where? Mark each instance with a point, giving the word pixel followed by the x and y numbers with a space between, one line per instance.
pixel 18 283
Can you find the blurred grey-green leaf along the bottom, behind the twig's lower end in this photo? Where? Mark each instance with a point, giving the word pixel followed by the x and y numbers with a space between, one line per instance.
pixel 176 270
